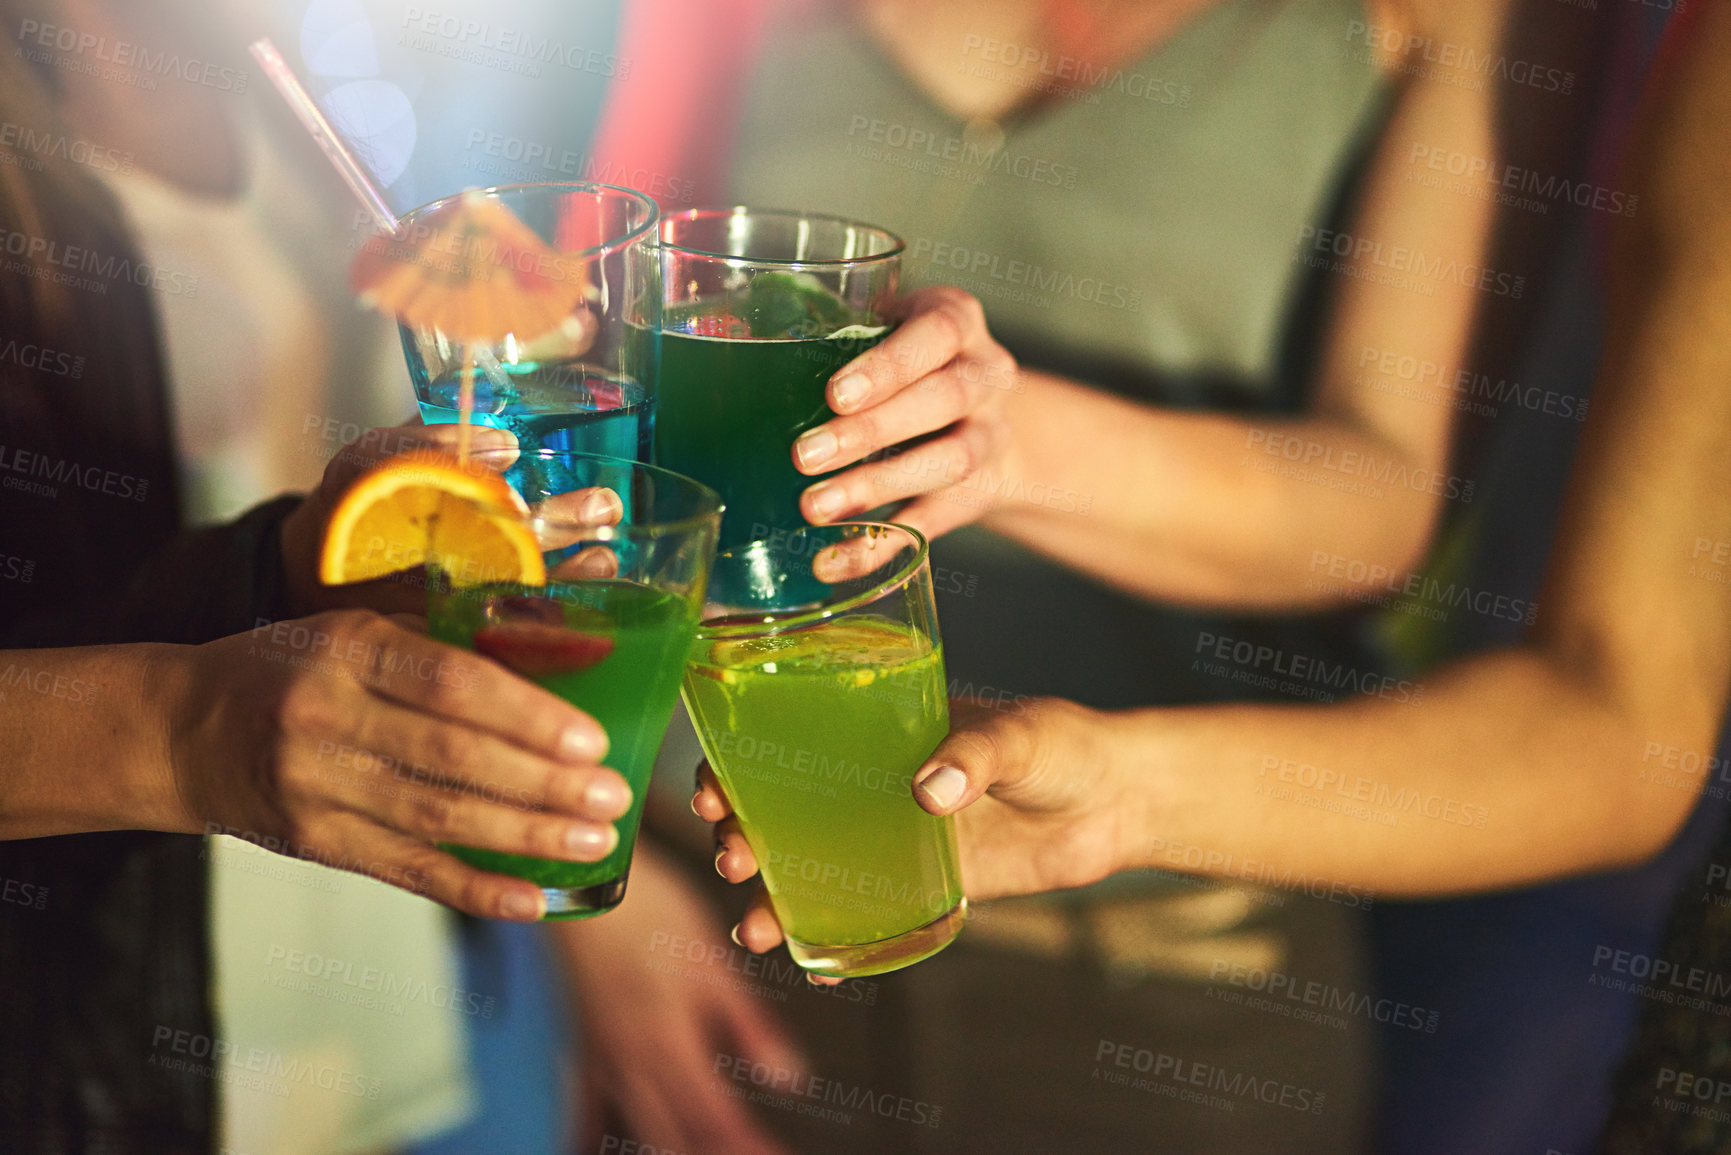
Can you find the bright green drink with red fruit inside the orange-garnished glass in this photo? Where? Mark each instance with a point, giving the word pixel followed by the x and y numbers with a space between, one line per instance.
pixel 610 648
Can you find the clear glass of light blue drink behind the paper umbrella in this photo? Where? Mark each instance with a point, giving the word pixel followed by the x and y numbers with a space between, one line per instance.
pixel 586 384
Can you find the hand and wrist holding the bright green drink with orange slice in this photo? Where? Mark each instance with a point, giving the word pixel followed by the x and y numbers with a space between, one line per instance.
pixel 359 744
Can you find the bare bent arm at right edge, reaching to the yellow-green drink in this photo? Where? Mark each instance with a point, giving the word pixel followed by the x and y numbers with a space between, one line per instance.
pixel 1564 744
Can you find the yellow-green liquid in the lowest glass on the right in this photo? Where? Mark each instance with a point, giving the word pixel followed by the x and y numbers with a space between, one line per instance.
pixel 816 737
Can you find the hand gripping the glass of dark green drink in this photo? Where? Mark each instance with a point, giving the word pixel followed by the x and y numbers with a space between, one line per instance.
pixel 939 373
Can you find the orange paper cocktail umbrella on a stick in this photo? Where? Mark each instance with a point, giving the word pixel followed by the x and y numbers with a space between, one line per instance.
pixel 475 273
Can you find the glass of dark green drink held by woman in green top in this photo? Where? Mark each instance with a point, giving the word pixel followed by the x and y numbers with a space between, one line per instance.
pixel 761 311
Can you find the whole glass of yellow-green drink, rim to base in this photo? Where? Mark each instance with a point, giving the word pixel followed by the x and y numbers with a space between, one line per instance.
pixel 816 723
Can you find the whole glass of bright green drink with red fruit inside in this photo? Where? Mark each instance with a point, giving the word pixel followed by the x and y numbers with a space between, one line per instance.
pixel 610 629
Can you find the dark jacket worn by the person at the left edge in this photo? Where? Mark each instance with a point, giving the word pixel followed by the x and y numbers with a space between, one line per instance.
pixel 106 1029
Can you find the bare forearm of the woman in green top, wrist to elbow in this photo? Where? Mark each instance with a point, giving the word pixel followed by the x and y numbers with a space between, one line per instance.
pixel 1244 513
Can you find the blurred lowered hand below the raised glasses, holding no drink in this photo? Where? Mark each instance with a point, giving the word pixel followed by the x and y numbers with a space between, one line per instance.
pixel 653 1038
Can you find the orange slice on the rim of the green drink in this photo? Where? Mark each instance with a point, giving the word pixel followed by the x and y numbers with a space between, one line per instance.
pixel 428 507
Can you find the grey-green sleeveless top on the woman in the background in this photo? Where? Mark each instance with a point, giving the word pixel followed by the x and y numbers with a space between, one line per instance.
pixel 1147 223
